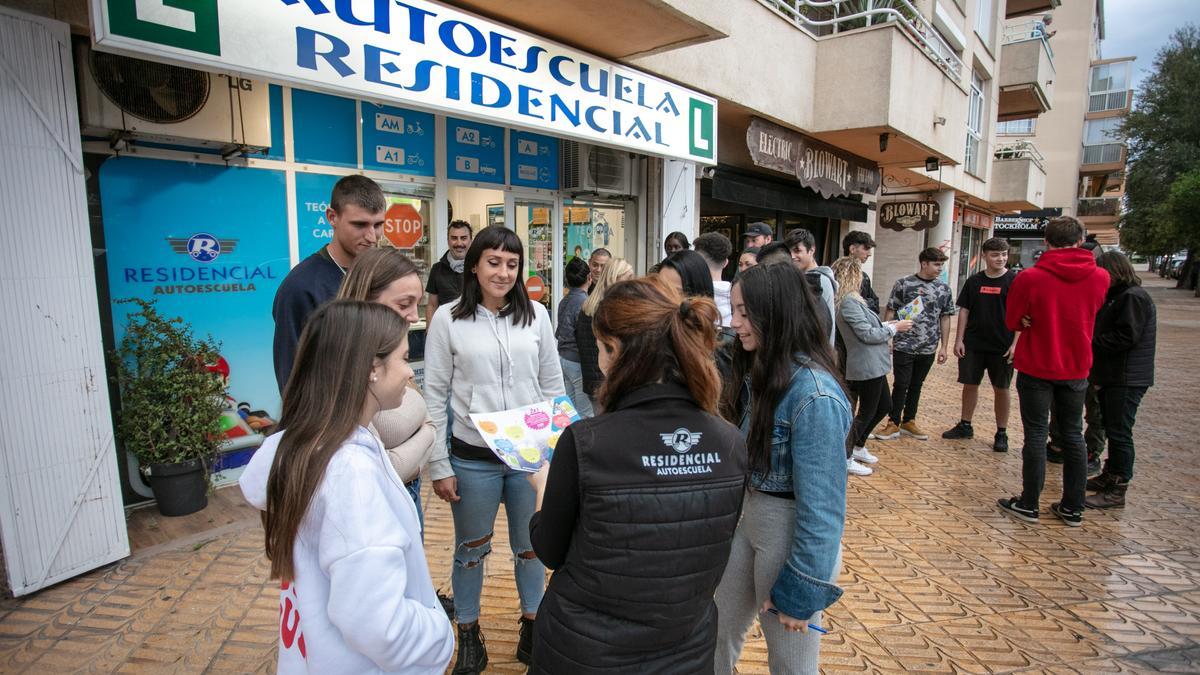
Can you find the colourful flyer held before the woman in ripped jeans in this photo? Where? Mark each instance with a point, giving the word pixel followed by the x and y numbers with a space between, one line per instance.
pixel 525 438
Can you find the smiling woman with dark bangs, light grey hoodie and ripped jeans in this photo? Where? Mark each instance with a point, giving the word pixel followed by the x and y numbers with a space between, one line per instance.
pixel 491 350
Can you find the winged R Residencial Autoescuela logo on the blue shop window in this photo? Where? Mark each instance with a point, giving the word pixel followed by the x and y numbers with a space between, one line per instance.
pixel 203 276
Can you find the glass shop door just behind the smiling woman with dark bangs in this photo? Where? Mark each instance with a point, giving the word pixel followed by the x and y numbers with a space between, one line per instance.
pixel 537 222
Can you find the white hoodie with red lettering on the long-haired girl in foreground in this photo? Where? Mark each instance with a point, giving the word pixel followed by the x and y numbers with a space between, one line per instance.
pixel 362 600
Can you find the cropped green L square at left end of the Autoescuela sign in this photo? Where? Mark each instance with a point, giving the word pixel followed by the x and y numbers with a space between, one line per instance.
pixel 187 25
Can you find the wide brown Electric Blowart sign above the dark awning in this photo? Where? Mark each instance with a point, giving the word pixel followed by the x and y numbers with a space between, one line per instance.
pixel 817 165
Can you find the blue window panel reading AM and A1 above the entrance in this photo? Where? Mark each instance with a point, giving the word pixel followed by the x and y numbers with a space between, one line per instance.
pixel 398 140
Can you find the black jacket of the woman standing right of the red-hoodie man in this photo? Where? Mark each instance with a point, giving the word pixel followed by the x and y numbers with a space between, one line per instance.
pixel 1124 339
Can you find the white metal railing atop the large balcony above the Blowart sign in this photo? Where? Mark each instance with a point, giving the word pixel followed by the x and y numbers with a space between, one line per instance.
pixel 826 17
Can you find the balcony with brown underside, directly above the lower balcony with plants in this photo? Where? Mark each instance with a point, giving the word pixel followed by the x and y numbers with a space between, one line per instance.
pixel 1027 71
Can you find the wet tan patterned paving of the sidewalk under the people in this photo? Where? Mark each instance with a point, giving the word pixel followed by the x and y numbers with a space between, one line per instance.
pixel 937 580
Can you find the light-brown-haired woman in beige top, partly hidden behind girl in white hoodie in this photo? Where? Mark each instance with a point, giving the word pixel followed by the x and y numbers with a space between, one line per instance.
pixel 392 279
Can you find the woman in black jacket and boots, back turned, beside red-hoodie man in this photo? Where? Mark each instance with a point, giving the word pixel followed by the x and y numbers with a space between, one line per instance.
pixel 1123 369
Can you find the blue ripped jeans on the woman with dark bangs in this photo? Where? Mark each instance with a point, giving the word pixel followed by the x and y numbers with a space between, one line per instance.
pixel 483 486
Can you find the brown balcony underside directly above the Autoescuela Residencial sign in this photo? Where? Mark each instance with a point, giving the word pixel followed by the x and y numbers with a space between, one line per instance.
pixel 615 29
